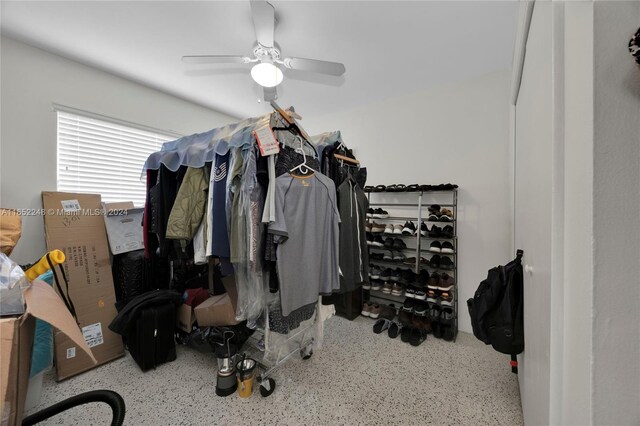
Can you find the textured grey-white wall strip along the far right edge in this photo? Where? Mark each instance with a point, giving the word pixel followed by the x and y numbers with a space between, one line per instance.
pixel 616 216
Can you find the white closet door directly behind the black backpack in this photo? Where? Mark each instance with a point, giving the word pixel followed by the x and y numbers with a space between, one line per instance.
pixel 533 210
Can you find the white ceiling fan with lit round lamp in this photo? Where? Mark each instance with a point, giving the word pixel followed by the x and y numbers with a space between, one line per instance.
pixel 267 58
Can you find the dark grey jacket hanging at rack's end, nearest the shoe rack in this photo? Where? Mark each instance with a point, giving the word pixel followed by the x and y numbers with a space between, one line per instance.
pixel 354 254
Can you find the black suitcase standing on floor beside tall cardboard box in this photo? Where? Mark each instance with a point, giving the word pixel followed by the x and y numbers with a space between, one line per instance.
pixel 151 340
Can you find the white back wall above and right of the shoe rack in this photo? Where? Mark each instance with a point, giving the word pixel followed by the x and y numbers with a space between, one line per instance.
pixel 457 133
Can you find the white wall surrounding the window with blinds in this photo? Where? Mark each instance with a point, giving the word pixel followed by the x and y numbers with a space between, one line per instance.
pixel 31 80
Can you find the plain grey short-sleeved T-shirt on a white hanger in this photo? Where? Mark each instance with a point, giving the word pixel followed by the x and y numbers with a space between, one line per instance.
pixel 306 230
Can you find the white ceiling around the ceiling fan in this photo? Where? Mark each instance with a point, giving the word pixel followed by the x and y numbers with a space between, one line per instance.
pixel 389 48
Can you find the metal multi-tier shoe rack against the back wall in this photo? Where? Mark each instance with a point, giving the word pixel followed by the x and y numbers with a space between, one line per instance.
pixel 388 200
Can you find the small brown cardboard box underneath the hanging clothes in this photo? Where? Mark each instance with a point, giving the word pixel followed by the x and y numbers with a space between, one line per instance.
pixel 219 310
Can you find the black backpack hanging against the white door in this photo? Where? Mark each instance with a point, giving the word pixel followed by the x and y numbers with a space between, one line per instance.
pixel 496 309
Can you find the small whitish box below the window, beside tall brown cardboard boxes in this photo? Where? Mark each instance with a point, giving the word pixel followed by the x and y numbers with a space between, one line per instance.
pixel 124 227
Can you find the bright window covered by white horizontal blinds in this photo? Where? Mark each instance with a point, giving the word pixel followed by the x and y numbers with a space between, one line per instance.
pixel 104 157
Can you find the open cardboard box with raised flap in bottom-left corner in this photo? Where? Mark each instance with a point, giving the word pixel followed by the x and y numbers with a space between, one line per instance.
pixel 16 344
